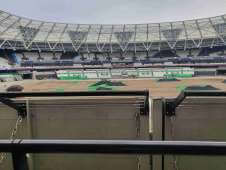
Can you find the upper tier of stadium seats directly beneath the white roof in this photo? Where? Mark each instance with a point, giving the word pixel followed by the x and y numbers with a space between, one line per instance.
pixel 126 59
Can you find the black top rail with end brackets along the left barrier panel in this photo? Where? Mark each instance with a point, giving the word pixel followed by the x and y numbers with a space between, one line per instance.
pixel 7 98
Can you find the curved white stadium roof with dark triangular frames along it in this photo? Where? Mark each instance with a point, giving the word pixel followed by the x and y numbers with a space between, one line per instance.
pixel 18 32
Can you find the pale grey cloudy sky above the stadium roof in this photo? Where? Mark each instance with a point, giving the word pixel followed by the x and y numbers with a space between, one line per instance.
pixel 114 11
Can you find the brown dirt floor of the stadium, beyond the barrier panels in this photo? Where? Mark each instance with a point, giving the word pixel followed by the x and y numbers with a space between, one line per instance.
pixel 157 89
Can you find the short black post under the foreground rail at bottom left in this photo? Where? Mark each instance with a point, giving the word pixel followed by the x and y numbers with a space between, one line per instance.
pixel 20 161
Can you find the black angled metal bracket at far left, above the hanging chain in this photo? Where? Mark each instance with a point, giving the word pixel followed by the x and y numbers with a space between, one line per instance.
pixel 20 108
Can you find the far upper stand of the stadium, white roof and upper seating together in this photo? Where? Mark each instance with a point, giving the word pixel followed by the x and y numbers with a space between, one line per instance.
pixel 27 42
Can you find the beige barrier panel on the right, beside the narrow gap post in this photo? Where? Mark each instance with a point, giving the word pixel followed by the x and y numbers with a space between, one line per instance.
pixel 192 116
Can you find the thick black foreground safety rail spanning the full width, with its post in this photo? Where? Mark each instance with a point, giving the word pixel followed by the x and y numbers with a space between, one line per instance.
pixel 19 148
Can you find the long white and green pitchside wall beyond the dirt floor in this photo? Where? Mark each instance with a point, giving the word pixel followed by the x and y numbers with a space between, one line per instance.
pixel 126 73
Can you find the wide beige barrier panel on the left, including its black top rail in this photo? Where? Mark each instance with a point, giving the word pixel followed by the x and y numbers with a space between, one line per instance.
pixel 120 115
